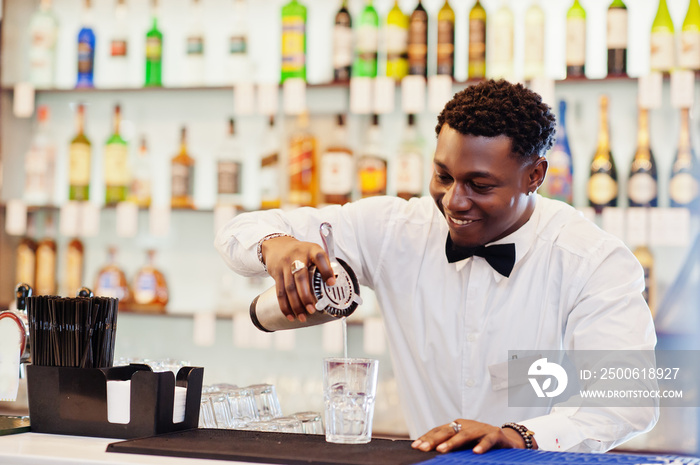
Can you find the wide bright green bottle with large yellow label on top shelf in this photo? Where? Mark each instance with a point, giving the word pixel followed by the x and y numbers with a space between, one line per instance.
pixel 293 40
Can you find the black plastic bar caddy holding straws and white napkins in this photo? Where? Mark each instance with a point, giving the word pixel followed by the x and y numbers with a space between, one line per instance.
pixel 67 400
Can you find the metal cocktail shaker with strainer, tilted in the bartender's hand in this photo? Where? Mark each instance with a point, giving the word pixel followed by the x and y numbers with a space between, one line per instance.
pixel 332 302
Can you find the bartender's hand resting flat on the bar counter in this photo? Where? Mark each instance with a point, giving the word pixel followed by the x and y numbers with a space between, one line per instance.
pixel 445 438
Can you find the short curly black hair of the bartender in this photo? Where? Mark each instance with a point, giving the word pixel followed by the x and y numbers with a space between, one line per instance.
pixel 493 108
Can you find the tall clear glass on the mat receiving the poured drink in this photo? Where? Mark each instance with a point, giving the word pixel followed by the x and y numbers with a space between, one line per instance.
pixel 349 390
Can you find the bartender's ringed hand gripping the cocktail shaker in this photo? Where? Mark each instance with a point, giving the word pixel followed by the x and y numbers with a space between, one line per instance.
pixel 294 289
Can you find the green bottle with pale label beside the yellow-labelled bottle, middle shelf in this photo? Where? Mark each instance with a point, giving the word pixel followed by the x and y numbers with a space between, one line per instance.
pixel 116 164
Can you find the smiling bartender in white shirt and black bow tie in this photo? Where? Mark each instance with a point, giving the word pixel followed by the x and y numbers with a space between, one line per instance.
pixel 482 267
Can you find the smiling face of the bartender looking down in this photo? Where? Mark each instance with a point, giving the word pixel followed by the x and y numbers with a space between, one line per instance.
pixel 481 187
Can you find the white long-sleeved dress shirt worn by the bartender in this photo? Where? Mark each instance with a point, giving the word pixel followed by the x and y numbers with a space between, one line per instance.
pixel 450 325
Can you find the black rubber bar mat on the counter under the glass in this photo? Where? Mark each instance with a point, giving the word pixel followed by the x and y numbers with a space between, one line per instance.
pixel 262 447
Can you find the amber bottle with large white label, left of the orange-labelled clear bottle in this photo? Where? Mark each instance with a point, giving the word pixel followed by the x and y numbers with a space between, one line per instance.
pixel 337 167
